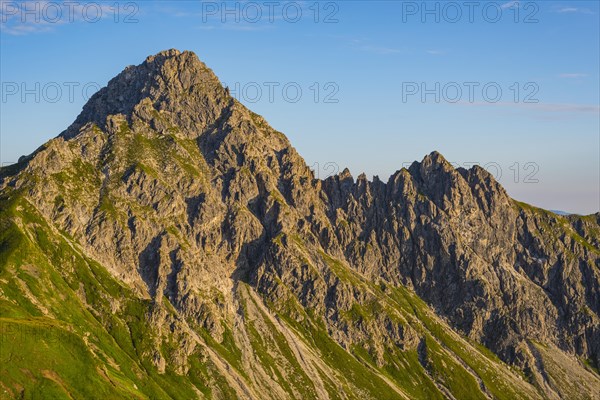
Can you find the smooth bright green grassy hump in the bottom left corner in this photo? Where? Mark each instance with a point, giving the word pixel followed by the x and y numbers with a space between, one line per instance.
pixel 52 358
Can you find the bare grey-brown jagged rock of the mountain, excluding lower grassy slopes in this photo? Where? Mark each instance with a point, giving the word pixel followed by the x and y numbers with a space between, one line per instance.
pixel 184 195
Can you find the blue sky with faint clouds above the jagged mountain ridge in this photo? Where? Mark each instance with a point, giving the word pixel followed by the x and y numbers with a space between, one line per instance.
pixel 362 68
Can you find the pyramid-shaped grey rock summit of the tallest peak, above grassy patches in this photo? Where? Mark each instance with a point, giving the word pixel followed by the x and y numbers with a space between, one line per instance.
pixel 170 85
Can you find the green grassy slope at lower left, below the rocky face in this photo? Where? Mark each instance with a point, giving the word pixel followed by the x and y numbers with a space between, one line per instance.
pixel 59 336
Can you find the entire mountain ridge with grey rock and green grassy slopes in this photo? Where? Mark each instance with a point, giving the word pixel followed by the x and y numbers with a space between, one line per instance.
pixel 171 244
